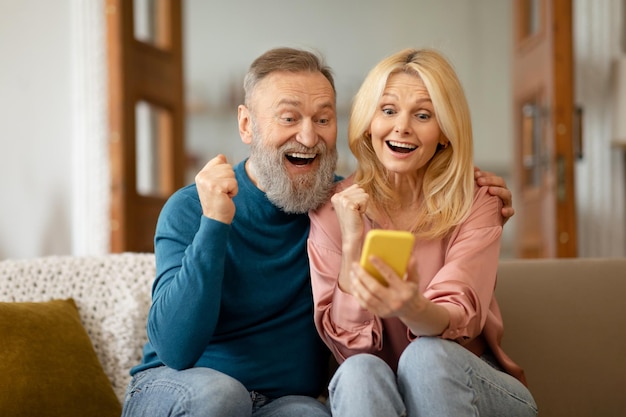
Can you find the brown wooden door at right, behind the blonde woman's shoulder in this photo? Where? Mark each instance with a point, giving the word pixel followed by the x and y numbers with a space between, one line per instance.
pixel 544 129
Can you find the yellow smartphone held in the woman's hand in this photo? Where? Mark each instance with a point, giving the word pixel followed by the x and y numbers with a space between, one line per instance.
pixel 392 246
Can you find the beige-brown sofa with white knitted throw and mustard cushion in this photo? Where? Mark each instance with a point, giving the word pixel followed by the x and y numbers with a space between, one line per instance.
pixel 72 327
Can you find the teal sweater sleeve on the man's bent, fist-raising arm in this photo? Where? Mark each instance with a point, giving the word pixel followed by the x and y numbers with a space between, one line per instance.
pixel 190 251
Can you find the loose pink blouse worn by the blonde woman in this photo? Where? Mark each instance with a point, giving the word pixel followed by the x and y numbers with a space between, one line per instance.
pixel 457 272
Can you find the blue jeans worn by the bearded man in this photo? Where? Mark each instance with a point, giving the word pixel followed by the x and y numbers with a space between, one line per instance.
pixel 203 392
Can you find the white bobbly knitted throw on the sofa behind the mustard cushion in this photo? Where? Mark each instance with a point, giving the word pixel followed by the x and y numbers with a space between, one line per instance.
pixel 112 293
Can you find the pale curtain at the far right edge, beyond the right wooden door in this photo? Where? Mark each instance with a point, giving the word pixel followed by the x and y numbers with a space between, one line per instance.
pixel 600 174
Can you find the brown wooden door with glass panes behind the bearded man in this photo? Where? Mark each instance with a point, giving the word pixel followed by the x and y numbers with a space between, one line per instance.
pixel 146 116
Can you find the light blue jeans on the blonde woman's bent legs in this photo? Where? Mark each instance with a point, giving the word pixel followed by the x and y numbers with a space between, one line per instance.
pixel 435 378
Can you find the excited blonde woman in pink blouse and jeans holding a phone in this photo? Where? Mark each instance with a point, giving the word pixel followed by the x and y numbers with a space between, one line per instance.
pixel 427 343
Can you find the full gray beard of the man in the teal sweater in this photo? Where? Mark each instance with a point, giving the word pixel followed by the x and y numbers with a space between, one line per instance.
pixel 295 195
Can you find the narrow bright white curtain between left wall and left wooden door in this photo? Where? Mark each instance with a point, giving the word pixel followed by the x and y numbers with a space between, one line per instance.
pixel 90 156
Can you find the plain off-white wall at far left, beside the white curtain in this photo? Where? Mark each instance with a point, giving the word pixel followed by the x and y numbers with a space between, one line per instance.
pixel 35 126
